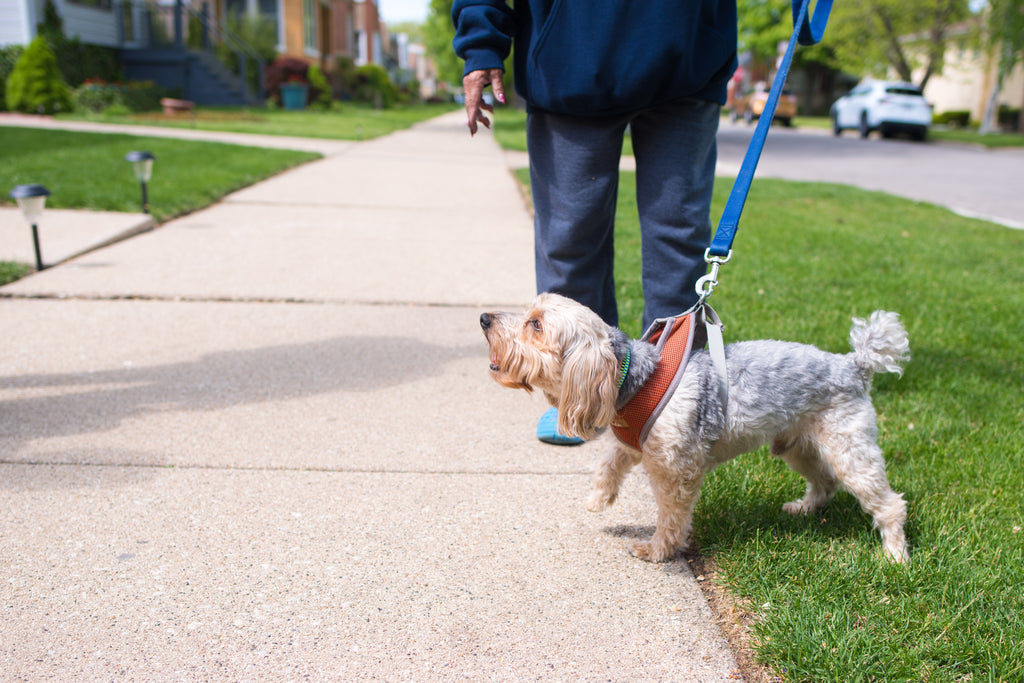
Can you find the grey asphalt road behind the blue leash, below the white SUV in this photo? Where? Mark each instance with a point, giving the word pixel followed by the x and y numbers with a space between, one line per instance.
pixel 968 180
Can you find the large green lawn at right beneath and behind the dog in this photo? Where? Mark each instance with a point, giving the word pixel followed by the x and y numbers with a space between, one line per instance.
pixel 828 606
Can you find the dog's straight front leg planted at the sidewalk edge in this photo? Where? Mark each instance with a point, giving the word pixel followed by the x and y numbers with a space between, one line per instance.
pixel 676 490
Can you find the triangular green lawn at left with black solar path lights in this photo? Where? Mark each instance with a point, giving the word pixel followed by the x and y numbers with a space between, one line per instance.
pixel 89 170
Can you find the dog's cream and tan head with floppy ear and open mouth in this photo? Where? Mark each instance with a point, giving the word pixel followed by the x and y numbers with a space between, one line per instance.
pixel 564 350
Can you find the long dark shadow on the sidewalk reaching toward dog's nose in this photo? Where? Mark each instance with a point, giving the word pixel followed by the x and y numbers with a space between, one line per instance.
pixel 65 405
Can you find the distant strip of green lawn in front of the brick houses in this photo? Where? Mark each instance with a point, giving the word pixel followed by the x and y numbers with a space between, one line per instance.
pixel 353 122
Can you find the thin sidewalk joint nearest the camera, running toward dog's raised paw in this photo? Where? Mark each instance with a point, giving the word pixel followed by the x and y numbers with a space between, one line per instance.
pixel 295 471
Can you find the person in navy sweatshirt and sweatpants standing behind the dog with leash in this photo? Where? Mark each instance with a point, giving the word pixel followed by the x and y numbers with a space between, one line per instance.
pixel 588 71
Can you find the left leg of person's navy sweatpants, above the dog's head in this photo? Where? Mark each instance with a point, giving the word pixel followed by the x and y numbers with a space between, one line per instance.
pixel 574 169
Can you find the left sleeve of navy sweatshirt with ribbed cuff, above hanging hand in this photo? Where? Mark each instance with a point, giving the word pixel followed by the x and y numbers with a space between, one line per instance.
pixel 484 33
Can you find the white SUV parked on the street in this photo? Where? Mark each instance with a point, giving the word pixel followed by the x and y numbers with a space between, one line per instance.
pixel 887 107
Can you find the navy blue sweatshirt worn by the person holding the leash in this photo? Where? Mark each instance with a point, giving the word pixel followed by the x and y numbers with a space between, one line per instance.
pixel 600 58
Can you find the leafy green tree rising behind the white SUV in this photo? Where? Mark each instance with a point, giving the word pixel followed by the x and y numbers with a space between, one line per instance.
pixel 873 36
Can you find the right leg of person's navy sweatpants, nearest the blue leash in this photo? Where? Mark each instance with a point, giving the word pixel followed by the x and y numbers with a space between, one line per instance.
pixel 676 153
